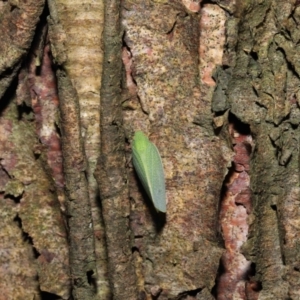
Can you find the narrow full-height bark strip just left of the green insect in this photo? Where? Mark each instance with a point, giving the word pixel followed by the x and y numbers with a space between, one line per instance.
pixel 111 173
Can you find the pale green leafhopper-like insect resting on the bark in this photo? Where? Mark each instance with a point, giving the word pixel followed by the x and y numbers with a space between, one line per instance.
pixel 148 165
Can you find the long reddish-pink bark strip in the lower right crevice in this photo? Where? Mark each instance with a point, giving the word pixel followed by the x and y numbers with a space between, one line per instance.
pixel 234 283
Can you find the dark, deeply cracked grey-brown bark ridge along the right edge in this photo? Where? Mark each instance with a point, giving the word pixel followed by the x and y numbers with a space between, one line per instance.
pixel 262 76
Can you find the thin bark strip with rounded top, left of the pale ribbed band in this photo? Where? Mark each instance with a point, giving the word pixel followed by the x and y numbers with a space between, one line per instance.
pixel 81 236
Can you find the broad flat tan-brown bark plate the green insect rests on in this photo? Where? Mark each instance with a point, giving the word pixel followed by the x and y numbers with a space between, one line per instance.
pixel 177 254
